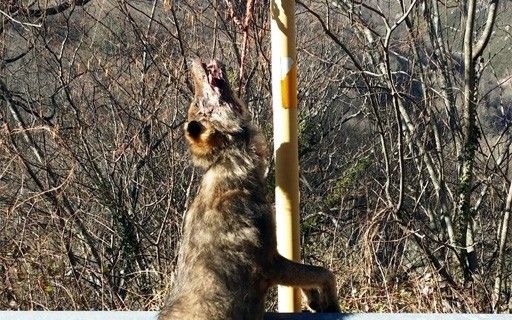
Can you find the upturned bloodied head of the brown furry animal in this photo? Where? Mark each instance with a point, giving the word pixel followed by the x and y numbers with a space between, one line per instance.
pixel 218 122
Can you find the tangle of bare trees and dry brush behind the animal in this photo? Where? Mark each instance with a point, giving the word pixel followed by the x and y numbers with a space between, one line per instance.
pixel 405 109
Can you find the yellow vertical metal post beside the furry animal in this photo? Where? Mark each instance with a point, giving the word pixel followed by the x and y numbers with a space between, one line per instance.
pixel 284 92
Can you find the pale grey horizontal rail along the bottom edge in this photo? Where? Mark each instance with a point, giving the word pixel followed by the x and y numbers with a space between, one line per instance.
pixel 152 315
